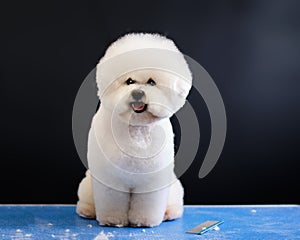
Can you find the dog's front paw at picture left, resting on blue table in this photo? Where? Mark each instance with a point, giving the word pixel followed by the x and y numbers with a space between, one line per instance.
pixel 115 219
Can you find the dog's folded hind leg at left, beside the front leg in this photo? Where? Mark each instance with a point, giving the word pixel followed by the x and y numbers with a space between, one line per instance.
pixel 85 205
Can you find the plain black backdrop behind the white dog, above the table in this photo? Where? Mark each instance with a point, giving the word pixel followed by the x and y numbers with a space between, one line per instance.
pixel 250 48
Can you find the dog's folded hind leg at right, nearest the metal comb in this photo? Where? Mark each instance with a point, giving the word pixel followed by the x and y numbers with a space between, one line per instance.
pixel 175 202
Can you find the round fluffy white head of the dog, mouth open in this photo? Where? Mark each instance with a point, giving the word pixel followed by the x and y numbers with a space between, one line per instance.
pixel 144 95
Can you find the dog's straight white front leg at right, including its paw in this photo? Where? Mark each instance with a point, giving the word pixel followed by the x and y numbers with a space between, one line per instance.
pixel 147 209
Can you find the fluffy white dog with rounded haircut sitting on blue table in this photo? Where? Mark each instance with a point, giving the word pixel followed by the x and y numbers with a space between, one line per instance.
pixel 142 80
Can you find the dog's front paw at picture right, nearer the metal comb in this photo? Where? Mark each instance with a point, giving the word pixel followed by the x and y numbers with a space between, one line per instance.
pixel 143 219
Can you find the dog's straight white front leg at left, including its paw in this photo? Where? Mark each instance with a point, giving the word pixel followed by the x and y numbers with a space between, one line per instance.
pixel 111 206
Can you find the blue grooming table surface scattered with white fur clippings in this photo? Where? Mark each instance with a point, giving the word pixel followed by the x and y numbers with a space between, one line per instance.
pixel 240 222
